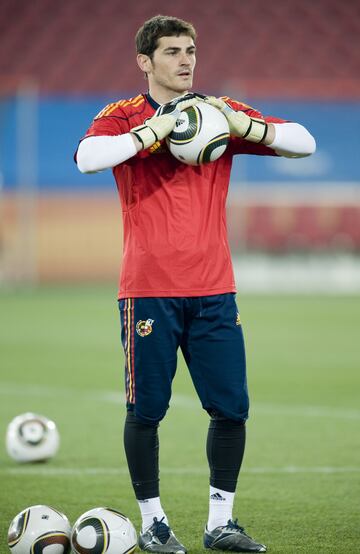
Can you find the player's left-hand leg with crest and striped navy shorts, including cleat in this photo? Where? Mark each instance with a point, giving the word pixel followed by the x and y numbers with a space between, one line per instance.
pixel 150 345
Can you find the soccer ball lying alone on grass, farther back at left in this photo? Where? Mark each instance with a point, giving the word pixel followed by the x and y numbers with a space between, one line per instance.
pixel 32 438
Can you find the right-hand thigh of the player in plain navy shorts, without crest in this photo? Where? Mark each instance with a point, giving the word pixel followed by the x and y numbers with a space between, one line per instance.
pixel 214 350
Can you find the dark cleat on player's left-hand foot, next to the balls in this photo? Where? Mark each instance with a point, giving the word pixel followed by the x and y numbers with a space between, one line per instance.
pixel 160 538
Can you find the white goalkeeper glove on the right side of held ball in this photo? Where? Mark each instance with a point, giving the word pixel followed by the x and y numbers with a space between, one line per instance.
pixel 240 124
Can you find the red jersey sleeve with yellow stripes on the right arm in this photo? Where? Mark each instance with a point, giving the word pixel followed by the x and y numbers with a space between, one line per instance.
pixel 243 146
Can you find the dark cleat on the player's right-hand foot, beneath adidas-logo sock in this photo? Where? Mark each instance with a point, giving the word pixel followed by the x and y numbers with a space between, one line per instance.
pixel 231 537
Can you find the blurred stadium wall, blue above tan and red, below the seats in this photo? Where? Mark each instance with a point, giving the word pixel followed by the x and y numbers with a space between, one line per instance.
pixel 58 225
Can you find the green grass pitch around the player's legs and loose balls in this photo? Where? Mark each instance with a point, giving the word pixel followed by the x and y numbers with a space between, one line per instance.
pixel 299 489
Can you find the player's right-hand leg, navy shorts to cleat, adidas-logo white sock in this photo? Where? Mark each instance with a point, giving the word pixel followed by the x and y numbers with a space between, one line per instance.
pixel 214 351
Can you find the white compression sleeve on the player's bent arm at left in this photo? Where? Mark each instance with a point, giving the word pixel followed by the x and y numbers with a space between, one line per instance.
pixel 102 152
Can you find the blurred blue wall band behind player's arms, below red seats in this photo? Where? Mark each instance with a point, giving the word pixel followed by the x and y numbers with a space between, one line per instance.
pixel 62 121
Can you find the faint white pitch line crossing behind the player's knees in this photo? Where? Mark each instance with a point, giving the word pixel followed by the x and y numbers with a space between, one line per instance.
pixel 177 401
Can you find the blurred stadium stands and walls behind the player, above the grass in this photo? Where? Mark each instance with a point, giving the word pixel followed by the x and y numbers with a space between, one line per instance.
pixel 293 224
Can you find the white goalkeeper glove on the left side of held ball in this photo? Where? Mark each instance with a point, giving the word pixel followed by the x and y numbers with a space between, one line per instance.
pixel 163 121
